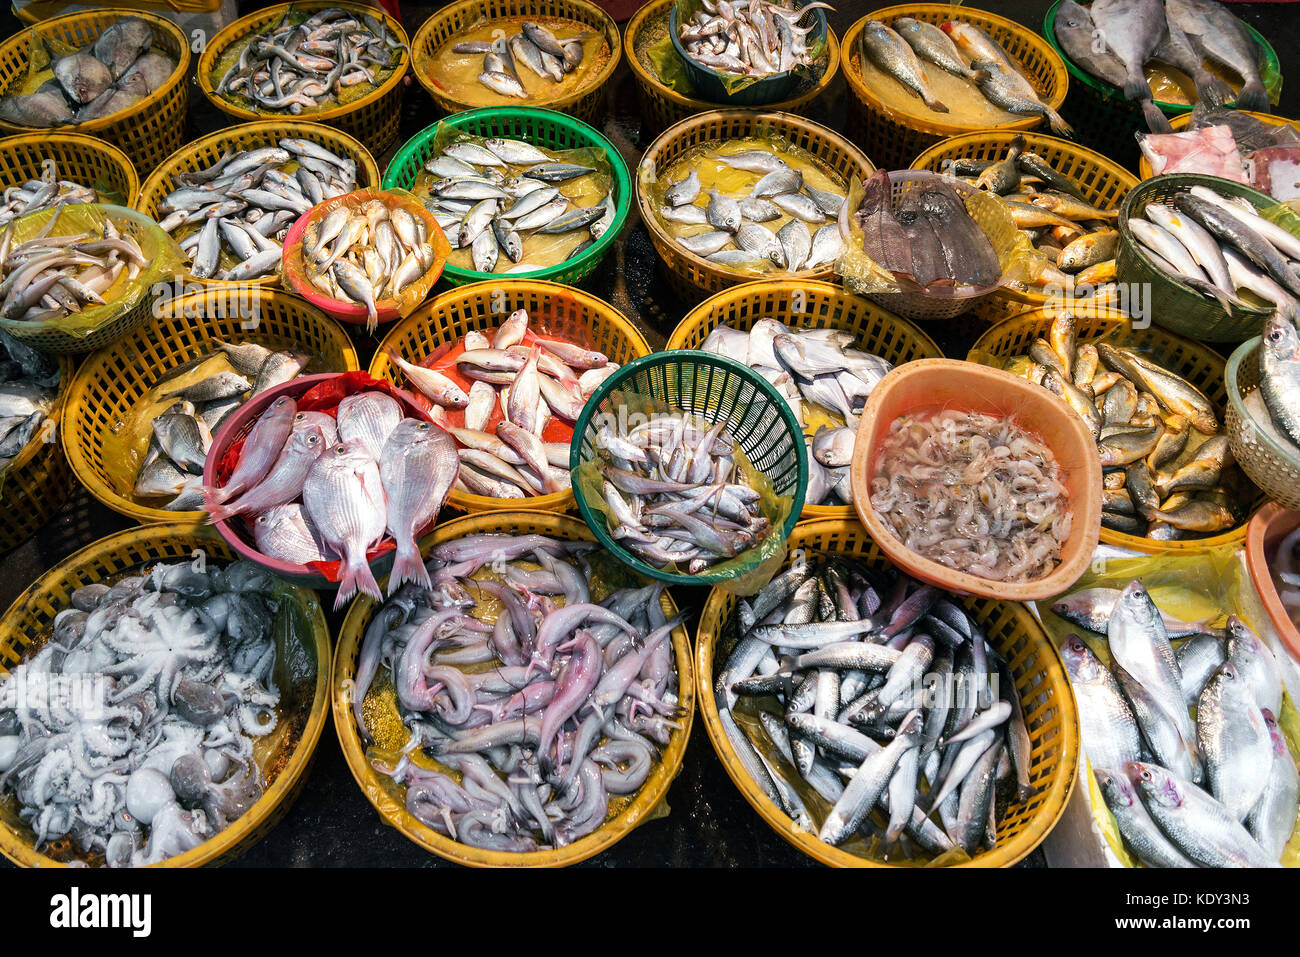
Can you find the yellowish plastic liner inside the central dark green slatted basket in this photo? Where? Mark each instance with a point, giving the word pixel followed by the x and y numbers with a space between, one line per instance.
pixel 753 568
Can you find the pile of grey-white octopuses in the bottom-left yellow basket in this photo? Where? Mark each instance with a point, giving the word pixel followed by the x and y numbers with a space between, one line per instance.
pixel 131 734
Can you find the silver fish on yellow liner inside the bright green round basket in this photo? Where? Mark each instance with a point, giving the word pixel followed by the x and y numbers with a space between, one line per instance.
pixel 509 206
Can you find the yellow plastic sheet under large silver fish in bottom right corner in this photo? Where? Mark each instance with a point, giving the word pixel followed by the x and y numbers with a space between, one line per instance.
pixel 1208 584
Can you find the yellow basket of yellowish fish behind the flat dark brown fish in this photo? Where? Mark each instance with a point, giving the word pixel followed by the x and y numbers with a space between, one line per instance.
pixel 1103 183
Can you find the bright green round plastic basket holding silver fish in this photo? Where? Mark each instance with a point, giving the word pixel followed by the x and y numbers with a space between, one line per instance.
pixel 547 129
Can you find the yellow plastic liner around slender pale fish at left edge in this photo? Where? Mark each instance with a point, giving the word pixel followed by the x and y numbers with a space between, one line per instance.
pixel 163 261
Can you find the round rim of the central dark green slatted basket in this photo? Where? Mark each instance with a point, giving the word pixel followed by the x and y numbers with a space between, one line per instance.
pixel 597 523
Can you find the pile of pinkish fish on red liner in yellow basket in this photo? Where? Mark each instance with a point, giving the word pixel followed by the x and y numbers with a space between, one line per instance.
pixel 531 380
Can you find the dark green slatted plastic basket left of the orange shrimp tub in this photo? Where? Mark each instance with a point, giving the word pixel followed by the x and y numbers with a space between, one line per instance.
pixel 713 388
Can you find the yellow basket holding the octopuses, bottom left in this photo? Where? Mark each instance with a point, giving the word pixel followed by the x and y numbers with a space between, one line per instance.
pixel 28 626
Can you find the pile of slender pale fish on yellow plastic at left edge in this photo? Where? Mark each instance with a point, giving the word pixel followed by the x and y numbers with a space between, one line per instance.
pixel 55 276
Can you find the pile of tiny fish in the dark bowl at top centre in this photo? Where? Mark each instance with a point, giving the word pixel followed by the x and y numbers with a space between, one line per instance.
pixel 751 38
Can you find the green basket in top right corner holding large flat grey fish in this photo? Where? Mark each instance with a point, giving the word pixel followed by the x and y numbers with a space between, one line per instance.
pixel 1107 122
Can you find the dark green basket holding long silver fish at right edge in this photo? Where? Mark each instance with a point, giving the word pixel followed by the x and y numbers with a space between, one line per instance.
pixel 1175 306
